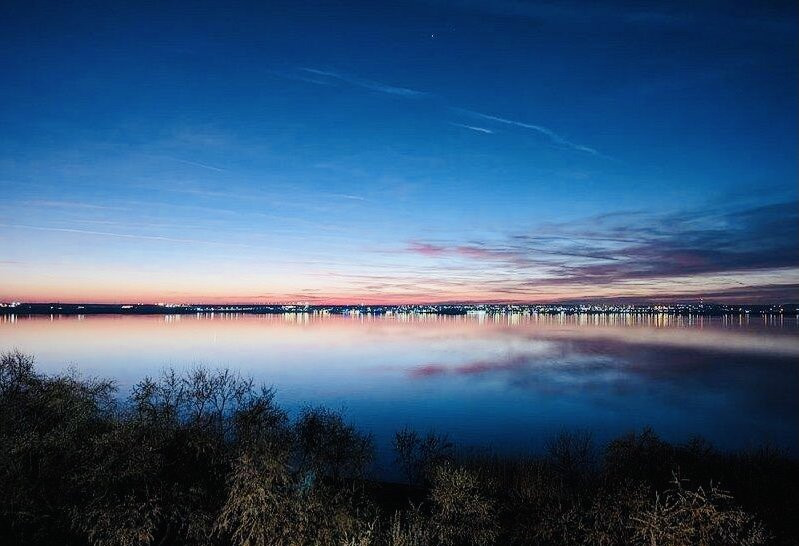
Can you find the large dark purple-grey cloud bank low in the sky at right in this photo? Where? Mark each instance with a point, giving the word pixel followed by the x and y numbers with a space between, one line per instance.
pixel 743 250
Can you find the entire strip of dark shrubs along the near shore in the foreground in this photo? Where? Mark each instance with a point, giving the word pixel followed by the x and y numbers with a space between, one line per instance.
pixel 208 458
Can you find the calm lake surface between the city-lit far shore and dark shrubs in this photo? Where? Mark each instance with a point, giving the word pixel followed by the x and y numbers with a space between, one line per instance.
pixel 505 383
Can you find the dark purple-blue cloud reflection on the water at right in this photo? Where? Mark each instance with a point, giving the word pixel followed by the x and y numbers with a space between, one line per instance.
pixel 609 367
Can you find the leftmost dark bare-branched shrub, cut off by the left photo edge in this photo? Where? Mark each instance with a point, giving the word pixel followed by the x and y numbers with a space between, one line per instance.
pixel 45 426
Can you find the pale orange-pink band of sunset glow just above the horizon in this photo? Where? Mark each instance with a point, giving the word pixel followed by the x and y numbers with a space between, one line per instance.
pixel 720 288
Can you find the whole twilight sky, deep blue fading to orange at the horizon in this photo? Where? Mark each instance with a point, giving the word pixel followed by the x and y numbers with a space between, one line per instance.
pixel 392 152
